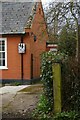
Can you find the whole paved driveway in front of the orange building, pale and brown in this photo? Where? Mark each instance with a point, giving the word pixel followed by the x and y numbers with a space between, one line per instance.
pixel 17 103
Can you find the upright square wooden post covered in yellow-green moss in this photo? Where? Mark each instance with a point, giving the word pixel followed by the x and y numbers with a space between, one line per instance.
pixel 57 87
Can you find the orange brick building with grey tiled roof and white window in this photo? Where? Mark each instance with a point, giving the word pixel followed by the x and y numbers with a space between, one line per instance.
pixel 22 40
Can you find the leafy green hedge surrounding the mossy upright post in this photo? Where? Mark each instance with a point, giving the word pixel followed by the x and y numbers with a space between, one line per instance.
pixel 70 87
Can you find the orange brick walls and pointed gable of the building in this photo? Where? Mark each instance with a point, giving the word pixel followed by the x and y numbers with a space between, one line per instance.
pixel 35 48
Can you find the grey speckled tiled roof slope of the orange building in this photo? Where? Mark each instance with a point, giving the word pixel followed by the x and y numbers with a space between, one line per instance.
pixel 16 16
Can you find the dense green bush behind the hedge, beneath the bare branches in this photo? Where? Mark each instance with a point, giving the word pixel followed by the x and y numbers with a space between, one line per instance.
pixel 67 41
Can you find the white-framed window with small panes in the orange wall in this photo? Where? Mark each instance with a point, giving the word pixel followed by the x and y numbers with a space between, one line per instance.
pixel 3 53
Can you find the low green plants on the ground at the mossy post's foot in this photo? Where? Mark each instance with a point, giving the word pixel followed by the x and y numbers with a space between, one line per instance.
pixel 72 115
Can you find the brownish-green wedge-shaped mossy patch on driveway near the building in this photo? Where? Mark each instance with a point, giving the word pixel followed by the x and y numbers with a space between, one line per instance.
pixel 37 88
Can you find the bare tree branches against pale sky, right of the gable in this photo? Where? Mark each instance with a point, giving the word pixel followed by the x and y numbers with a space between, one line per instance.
pixel 59 14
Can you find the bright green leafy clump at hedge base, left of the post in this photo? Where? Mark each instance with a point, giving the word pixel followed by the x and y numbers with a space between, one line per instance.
pixel 43 110
